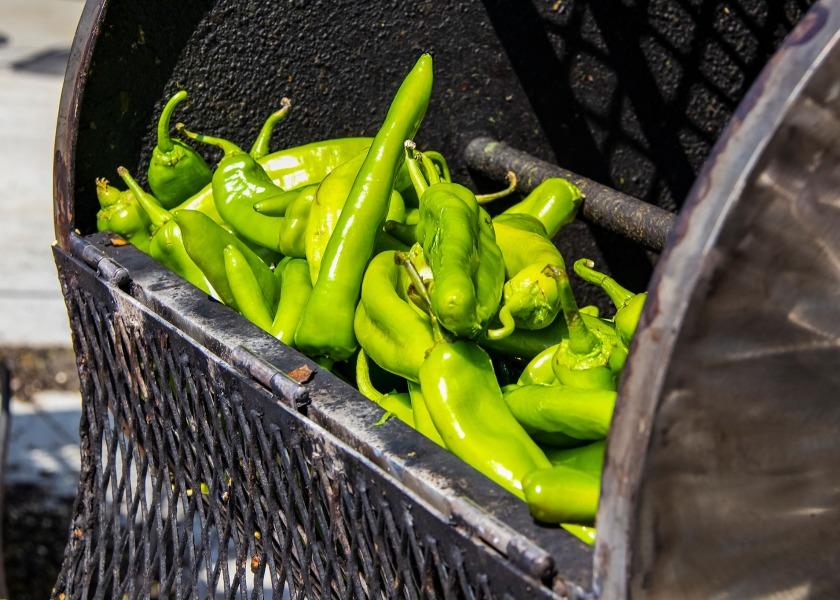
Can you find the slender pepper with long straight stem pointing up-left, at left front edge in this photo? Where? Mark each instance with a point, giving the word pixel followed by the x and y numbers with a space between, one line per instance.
pixel 166 244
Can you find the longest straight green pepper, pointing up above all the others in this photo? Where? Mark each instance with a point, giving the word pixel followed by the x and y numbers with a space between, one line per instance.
pixel 326 328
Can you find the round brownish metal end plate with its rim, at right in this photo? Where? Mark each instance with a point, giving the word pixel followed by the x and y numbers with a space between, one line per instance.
pixel 723 466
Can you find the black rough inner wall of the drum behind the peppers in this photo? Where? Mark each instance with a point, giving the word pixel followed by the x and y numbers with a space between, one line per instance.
pixel 631 95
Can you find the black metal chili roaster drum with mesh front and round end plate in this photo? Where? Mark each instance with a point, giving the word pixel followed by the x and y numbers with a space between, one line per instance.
pixel 207 471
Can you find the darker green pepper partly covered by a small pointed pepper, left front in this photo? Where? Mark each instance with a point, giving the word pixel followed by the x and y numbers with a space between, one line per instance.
pixel 205 241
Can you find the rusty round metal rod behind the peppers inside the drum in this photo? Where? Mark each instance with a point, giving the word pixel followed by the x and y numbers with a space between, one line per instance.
pixel 634 219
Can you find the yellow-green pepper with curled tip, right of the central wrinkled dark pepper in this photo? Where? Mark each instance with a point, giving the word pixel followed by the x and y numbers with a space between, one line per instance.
pixel 531 294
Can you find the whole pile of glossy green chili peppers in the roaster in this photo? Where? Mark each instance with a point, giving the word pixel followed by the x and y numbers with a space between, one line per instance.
pixel 365 255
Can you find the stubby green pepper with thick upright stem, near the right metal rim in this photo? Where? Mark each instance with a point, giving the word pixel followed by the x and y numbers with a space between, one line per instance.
pixel 590 357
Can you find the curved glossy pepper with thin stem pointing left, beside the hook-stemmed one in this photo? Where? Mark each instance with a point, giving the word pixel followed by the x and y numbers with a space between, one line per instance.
pixel 239 182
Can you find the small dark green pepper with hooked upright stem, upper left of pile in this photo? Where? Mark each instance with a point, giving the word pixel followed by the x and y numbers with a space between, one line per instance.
pixel 176 170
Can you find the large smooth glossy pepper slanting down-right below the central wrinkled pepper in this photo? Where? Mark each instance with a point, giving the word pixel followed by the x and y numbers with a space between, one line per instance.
pixel 466 406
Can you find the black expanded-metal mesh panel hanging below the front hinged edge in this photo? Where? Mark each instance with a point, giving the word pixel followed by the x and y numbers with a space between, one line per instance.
pixel 198 482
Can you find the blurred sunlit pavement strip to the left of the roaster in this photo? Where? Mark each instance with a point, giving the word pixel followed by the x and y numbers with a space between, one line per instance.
pixel 41 471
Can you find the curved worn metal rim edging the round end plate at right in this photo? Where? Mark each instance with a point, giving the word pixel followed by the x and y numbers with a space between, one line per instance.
pixel 679 280
